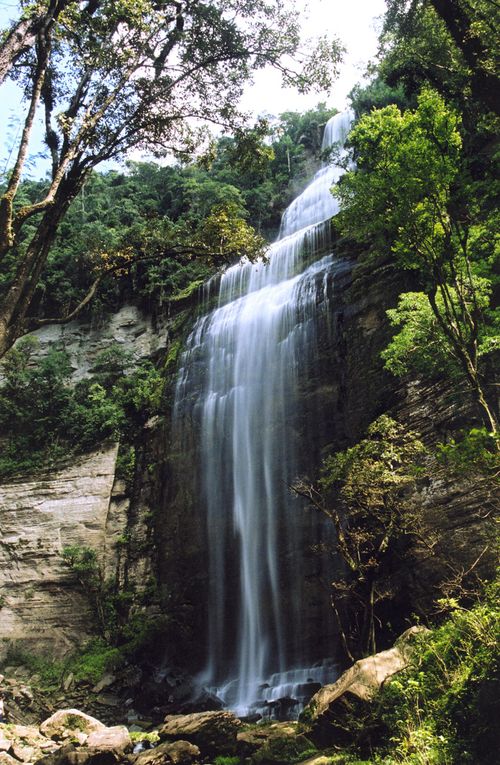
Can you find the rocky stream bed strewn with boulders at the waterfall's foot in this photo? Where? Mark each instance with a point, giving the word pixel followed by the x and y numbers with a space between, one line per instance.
pixel 39 733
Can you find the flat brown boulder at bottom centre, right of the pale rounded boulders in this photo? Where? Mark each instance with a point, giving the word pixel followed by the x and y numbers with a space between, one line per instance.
pixel 213 732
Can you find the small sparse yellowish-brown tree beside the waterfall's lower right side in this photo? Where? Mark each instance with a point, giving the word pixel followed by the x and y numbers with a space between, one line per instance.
pixel 364 492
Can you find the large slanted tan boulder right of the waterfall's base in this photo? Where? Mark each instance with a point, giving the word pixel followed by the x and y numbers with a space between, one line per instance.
pixel 352 693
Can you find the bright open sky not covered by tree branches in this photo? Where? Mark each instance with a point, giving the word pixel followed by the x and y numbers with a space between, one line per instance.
pixel 354 22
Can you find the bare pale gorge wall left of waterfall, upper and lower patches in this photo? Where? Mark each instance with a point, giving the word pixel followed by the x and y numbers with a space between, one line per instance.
pixel 83 503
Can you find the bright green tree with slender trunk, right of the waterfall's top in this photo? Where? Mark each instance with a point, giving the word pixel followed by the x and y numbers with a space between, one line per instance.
pixel 408 196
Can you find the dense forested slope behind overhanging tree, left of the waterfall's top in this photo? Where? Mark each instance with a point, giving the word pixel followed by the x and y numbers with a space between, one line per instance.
pixel 165 229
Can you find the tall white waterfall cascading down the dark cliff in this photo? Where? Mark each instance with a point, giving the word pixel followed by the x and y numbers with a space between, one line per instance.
pixel 239 383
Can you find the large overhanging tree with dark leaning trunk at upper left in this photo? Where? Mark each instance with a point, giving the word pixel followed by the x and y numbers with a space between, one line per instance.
pixel 112 75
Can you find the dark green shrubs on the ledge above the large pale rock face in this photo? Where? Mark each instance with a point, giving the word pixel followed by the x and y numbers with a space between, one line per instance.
pixel 45 419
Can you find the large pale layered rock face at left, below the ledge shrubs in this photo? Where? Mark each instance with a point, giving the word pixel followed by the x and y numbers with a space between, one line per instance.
pixel 43 609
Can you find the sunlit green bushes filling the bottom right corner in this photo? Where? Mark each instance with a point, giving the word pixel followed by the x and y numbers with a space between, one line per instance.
pixel 438 710
